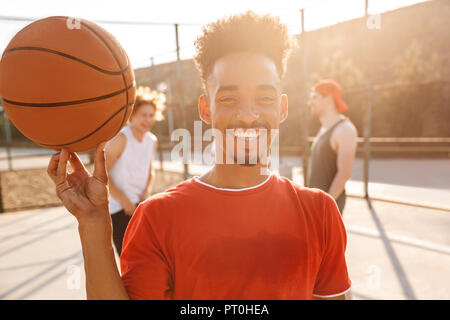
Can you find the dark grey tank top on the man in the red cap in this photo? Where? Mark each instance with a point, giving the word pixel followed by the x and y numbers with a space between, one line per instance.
pixel 323 164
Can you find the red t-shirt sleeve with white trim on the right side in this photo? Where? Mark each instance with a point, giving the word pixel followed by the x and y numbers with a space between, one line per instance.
pixel 332 279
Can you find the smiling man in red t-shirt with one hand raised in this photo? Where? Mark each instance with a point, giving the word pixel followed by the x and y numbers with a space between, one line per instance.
pixel 232 233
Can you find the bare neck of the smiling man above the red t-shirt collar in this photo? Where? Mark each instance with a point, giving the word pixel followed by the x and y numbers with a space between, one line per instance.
pixel 235 176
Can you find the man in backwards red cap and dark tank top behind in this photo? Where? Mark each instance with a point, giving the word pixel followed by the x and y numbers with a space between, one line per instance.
pixel 334 148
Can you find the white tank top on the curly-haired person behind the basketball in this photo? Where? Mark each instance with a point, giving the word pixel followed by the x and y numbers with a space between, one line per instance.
pixel 130 172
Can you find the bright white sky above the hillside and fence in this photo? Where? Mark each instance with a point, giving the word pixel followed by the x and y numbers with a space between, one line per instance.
pixel 158 41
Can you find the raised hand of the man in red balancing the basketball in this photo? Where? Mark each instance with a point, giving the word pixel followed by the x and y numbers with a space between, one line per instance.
pixel 84 195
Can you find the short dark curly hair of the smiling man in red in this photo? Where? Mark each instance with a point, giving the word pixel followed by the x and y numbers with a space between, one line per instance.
pixel 247 32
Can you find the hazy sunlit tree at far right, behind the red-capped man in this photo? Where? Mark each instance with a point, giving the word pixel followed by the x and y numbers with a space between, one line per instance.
pixel 416 107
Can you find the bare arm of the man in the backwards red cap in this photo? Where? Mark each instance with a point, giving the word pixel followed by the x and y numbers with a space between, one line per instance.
pixel 345 142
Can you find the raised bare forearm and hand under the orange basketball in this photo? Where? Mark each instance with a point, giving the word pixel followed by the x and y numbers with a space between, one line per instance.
pixel 86 197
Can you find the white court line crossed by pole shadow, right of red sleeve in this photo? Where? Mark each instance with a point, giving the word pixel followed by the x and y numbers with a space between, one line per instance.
pixel 400 239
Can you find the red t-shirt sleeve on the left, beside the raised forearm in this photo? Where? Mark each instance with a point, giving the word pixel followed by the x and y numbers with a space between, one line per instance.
pixel 145 270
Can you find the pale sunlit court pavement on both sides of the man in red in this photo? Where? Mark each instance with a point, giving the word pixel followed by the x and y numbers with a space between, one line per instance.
pixel 394 252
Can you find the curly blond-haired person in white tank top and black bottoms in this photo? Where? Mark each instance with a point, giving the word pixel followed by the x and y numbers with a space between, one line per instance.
pixel 129 161
